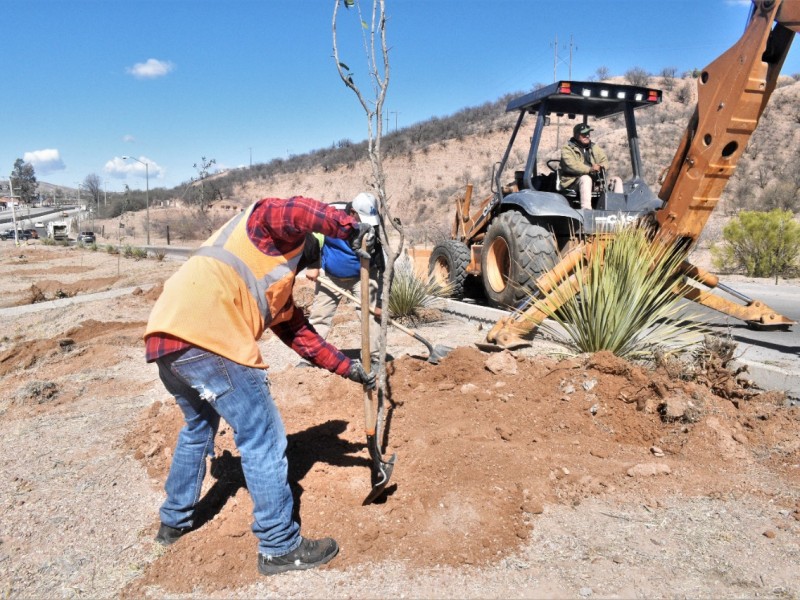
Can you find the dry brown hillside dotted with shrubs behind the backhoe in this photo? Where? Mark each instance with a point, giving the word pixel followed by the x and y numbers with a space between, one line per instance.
pixel 429 164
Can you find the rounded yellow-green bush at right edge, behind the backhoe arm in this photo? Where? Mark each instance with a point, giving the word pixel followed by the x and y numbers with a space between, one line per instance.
pixel 762 244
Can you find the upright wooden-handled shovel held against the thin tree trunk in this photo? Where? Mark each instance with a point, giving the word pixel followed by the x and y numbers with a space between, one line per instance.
pixel 381 469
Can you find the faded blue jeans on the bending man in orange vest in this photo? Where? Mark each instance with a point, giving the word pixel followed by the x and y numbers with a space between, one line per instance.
pixel 206 387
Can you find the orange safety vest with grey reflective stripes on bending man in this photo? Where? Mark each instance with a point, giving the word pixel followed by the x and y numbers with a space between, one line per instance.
pixel 226 294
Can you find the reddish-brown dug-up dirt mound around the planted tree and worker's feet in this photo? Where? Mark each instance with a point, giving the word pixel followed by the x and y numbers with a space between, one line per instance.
pixel 484 443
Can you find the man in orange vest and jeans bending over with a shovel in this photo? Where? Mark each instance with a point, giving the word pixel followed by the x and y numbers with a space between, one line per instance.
pixel 203 333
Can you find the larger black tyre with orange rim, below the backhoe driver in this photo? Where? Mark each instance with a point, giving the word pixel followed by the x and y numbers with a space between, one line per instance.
pixel 515 253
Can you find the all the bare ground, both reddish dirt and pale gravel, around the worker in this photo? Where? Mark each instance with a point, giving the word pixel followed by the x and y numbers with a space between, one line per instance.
pixel 518 475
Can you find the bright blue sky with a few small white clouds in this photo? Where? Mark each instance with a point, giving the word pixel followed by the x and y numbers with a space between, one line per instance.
pixel 86 82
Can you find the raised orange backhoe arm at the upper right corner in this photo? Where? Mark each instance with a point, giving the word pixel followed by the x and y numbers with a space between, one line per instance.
pixel 732 94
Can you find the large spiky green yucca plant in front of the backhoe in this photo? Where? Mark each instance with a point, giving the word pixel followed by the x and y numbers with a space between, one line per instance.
pixel 628 301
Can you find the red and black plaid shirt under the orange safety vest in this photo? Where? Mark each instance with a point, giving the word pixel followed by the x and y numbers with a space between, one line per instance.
pixel 276 227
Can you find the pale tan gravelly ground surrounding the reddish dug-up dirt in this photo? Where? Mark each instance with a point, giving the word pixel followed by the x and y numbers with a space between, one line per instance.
pixel 78 511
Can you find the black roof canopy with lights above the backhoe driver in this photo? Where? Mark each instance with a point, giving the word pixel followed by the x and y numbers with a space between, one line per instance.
pixel 592 99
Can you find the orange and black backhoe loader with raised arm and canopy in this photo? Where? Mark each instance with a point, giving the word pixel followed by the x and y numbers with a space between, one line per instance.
pixel 530 233
